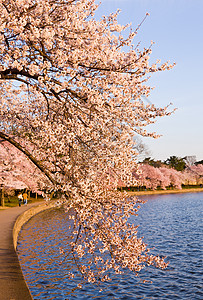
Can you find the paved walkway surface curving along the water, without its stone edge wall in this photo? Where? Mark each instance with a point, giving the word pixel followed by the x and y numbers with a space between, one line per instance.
pixel 12 283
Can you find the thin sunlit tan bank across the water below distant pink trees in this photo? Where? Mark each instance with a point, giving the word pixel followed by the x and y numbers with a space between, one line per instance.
pixel 161 192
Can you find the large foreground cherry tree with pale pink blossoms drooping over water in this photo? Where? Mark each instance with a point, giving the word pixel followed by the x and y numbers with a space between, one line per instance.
pixel 71 89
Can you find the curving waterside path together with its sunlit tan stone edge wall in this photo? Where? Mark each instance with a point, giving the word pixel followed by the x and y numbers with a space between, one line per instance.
pixel 12 281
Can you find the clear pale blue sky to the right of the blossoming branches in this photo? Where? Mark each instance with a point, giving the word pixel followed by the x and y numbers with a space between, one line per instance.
pixel 176 27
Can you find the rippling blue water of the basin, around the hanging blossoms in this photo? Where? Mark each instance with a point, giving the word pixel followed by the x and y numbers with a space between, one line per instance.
pixel 171 226
